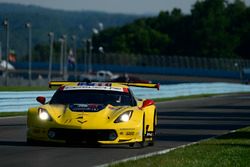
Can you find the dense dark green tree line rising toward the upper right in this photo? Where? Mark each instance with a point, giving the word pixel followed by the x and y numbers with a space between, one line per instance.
pixel 214 28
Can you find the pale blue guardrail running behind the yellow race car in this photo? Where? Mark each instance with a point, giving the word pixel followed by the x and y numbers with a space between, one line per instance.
pixel 21 101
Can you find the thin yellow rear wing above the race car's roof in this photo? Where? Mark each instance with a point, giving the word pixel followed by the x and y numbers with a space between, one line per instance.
pixel 143 85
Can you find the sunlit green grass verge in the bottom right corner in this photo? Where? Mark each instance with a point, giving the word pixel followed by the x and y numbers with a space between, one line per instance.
pixel 230 150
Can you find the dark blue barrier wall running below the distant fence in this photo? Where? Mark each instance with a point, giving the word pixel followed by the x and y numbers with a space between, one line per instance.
pixel 142 70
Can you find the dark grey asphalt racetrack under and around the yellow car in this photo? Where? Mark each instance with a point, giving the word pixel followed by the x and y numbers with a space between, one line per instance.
pixel 180 122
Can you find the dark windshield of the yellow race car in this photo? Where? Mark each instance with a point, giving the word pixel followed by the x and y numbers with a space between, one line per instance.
pixel 114 98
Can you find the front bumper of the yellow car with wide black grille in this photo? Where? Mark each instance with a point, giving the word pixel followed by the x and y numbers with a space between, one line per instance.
pixel 102 136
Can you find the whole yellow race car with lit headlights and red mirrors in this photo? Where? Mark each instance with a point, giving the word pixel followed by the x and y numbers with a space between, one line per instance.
pixel 102 113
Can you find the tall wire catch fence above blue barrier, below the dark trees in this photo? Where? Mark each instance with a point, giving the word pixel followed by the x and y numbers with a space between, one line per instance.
pixel 185 62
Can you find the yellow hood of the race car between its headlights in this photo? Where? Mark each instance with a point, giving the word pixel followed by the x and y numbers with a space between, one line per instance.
pixel 68 115
